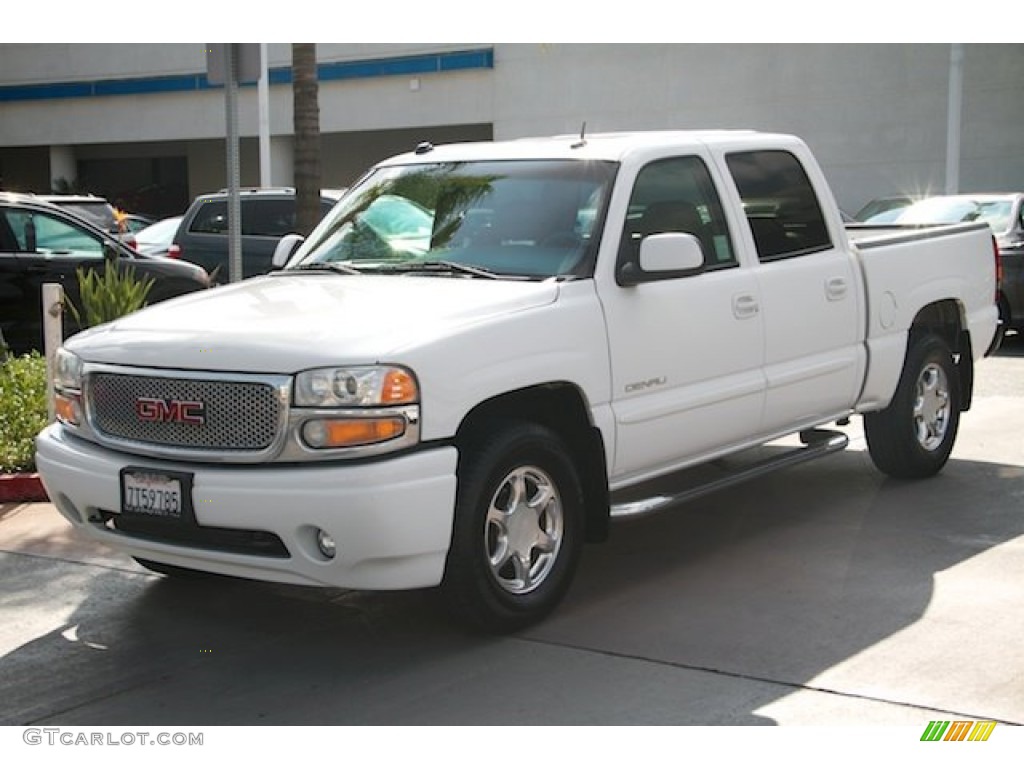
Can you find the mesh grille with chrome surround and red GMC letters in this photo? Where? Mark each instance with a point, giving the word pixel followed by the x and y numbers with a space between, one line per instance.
pixel 236 415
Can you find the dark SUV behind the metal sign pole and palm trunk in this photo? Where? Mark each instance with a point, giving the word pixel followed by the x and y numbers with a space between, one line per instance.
pixel 268 216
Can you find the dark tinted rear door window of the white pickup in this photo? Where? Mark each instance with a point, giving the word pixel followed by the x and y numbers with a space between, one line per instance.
pixel 781 205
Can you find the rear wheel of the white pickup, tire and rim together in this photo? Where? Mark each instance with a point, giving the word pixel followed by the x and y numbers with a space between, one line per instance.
pixel 914 437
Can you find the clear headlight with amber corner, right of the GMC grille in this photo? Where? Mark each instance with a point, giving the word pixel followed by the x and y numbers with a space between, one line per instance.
pixel 356 388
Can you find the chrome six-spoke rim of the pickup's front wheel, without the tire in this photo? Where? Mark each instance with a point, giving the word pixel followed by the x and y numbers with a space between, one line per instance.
pixel 524 530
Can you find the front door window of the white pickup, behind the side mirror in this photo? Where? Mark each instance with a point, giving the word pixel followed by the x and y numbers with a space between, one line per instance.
pixel 677 195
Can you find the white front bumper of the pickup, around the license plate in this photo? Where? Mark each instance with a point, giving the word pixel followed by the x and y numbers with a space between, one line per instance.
pixel 392 519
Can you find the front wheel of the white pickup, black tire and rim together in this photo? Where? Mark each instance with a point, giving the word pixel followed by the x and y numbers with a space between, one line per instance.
pixel 519 529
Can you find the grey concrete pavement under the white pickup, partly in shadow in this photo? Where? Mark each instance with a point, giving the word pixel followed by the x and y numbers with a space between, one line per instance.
pixel 823 595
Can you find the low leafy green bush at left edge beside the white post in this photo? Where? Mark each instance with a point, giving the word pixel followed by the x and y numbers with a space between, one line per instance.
pixel 23 411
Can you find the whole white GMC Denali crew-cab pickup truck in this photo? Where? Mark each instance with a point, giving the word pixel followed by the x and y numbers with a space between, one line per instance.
pixel 472 365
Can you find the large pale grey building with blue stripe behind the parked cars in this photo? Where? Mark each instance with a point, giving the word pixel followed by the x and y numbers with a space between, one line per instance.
pixel 875 115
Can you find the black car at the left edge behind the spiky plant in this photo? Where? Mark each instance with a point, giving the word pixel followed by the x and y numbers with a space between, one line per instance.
pixel 42 243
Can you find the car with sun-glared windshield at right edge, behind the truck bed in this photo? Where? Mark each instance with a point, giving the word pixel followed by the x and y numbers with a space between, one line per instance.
pixel 1004 212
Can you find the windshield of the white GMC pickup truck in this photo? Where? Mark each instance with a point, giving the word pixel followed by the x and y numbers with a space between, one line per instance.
pixel 510 219
